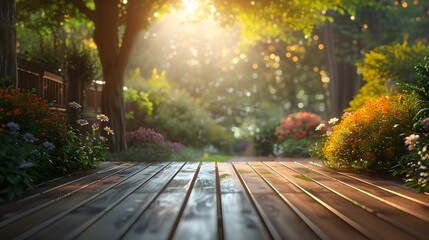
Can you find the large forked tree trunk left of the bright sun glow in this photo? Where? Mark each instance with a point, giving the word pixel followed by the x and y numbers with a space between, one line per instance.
pixel 114 51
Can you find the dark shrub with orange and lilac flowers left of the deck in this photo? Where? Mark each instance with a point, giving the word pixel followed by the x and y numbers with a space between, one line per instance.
pixel 36 142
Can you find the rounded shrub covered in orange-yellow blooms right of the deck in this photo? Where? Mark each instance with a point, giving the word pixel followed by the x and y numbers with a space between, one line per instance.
pixel 370 137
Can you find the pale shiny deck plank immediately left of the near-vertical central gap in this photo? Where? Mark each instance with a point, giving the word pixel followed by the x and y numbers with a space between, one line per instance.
pixel 199 220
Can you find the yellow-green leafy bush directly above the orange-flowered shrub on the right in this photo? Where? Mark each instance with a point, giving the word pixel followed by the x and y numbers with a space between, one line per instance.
pixel 386 66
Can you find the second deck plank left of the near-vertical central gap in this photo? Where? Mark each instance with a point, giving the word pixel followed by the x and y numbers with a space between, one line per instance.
pixel 158 219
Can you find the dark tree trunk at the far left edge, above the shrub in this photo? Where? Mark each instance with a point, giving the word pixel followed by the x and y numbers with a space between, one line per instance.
pixel 8 41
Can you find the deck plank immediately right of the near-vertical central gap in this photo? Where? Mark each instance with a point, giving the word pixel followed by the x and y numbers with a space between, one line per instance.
pixel 240 220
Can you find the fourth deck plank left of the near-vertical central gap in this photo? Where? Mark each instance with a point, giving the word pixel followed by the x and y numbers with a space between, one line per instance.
pixel 69 223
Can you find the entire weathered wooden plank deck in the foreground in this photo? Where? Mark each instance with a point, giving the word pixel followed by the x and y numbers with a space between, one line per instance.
pixel 239 200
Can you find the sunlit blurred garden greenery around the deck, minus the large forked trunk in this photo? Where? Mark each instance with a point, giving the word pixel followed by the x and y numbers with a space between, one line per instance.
pixel 207 81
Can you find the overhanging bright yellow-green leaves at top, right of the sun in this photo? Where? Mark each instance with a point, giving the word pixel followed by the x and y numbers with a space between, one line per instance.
pixel 278 19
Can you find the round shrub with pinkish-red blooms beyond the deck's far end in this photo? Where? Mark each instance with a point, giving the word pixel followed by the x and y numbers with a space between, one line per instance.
pixel 296 133
